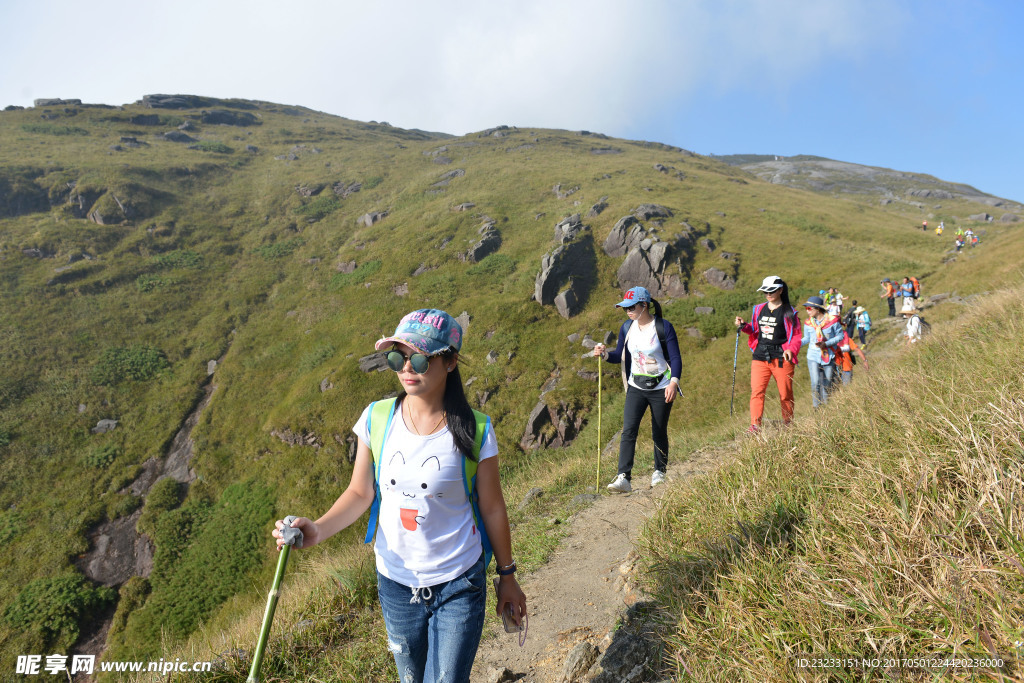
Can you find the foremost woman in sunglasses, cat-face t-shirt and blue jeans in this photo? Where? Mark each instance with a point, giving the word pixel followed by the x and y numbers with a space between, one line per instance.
pixel 431 563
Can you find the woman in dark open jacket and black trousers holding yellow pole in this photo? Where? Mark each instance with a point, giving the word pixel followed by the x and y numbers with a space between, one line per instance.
pixel 650 347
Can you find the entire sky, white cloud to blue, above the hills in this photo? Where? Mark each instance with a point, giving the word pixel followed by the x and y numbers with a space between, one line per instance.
pixel 929 87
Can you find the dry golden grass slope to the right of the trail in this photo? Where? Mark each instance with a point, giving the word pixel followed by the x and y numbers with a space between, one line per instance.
pixel 890 525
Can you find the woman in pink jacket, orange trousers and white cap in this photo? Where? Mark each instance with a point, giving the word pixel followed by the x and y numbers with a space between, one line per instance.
pixel 774 335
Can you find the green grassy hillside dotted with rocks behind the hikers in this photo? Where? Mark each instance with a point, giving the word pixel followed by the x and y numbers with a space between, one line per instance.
pixel 129 262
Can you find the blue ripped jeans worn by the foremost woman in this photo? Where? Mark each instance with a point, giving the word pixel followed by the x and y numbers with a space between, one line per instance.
pixel 435 639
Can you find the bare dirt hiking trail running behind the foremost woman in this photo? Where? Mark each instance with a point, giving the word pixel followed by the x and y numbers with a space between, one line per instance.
pixel 587 584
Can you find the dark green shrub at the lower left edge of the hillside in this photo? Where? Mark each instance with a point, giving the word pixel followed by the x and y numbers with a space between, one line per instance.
pixel 52 609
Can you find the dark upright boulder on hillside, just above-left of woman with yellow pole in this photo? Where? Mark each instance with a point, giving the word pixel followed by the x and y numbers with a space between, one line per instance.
pixel 568 272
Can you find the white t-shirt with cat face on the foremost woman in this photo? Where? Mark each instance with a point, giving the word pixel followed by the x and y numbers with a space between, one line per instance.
pixel 425 531
